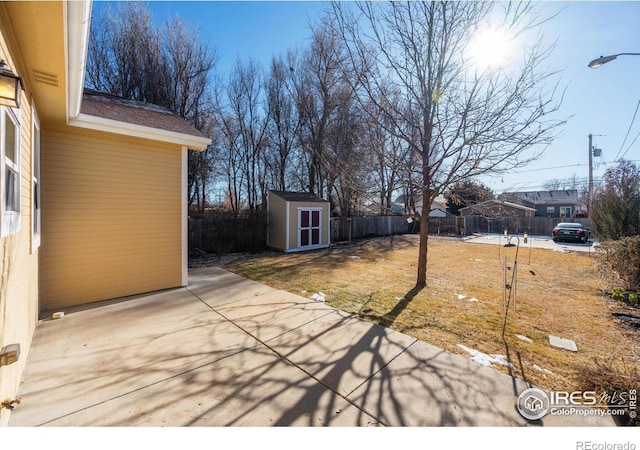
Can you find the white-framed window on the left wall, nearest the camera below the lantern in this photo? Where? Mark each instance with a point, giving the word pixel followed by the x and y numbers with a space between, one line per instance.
pixel 10 173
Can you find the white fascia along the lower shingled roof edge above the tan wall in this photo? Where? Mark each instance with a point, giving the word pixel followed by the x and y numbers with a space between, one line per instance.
pixel 139 131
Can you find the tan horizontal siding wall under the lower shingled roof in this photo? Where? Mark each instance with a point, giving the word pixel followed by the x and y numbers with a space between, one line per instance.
pixel 112 223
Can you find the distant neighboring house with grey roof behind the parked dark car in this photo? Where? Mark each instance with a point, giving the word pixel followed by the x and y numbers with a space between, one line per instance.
pixel 563 204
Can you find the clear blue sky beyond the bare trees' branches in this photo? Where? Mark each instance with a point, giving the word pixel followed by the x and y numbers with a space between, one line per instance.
pixel 601 101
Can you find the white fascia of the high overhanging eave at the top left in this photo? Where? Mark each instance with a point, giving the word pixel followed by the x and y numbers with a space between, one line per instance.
pixel 78 19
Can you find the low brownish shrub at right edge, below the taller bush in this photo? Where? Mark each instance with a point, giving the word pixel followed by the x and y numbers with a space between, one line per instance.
pixel 621 259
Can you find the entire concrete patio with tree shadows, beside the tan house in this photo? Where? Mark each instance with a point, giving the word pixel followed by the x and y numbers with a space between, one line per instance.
pixel 219 354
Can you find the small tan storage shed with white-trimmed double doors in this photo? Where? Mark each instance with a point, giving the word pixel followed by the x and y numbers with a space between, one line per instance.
pixel 298 221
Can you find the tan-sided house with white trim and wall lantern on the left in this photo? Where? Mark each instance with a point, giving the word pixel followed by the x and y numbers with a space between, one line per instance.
pixel 93 187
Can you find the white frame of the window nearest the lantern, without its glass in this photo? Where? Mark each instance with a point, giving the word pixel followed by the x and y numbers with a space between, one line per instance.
pixel 11 222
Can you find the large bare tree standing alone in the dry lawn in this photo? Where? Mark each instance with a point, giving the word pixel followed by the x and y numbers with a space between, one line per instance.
pixel 459 121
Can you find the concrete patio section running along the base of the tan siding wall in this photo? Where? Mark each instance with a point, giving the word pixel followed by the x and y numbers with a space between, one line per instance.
pixel 93 355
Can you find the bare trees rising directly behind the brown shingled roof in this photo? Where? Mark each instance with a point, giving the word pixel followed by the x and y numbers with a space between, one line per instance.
pixel 166 66
